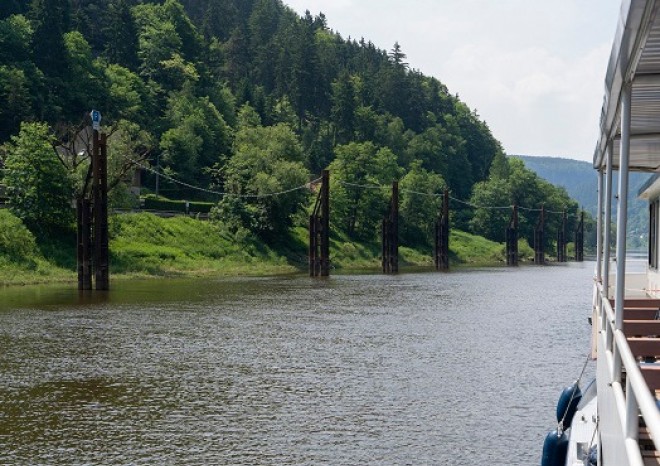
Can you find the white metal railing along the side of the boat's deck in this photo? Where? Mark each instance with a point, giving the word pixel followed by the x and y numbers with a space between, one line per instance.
pixel 636 399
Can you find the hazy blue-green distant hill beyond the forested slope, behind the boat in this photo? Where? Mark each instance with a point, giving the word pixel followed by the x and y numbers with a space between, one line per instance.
pixel 581 182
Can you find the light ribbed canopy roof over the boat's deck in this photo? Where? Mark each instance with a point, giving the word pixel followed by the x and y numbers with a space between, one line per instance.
pixel 635 59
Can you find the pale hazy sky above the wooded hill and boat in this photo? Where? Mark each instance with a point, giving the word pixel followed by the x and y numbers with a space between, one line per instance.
pixel 533 70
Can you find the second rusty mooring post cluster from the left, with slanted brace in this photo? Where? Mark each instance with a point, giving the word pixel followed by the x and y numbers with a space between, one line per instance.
pixel 319 231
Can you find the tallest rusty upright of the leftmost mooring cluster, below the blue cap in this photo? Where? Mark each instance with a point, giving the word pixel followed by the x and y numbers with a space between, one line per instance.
pixel 100 193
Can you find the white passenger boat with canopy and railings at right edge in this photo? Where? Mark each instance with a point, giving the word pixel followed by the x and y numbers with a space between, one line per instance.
pixel 621 424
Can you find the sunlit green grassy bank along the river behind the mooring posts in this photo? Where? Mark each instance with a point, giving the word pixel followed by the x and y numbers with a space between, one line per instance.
pixel 149 246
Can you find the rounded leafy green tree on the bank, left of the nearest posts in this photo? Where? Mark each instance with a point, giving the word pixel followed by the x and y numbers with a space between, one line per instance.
pixel 38 185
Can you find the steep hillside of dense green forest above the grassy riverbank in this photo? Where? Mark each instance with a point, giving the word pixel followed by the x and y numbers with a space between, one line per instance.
pixel 243 98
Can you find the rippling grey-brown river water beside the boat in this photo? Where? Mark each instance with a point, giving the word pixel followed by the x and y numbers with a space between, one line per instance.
pixel 462 368
